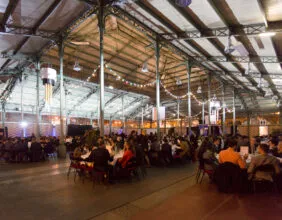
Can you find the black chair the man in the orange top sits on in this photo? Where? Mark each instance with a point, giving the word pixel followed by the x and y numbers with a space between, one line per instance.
pixel 228 178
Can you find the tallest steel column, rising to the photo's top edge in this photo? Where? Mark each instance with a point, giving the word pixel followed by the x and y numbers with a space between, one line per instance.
pixel 101 25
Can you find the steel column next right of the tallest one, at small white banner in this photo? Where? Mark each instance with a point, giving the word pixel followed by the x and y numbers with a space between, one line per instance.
pixel 157 53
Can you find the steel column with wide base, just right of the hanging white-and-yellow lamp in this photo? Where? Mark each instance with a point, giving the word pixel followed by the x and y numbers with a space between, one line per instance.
pixel 62 147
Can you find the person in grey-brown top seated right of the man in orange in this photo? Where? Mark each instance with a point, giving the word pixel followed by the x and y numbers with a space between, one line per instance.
pixel 263 159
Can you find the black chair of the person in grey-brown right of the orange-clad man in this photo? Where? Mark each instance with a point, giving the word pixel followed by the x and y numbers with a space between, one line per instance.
pixel 268 170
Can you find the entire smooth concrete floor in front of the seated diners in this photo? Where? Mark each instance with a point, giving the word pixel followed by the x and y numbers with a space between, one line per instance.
pixel 42 191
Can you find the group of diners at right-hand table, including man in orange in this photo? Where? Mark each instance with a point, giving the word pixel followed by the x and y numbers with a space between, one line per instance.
pixel 261 161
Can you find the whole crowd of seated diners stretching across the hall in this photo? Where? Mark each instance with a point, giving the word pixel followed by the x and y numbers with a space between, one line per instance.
pixel 113 153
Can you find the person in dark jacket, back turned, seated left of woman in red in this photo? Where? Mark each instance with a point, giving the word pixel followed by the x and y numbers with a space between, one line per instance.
pixel 100 157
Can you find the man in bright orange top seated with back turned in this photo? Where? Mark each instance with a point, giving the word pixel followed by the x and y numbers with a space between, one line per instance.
pixel 230 155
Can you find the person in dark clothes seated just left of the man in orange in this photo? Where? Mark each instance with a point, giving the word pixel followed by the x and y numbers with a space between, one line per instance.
pixel 206 156
